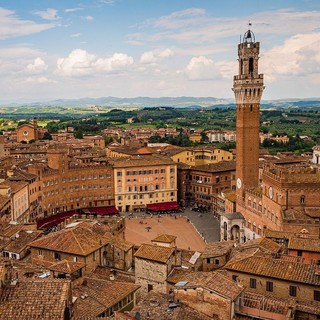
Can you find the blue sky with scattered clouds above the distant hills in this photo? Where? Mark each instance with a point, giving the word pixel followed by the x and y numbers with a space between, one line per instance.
pixel 129 48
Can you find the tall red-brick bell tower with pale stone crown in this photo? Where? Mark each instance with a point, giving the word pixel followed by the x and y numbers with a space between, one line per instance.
pixel 248 88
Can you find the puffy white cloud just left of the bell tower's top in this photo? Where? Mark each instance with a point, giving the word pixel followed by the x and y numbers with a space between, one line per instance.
pixel 201 68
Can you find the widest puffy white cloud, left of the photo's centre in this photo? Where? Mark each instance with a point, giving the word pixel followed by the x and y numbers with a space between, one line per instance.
pixel 80 63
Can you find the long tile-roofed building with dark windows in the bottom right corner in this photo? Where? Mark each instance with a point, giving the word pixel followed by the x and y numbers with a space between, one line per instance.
pixel 280 278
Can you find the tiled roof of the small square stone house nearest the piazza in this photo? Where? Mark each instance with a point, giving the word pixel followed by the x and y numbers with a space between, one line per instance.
pixel 154 253
